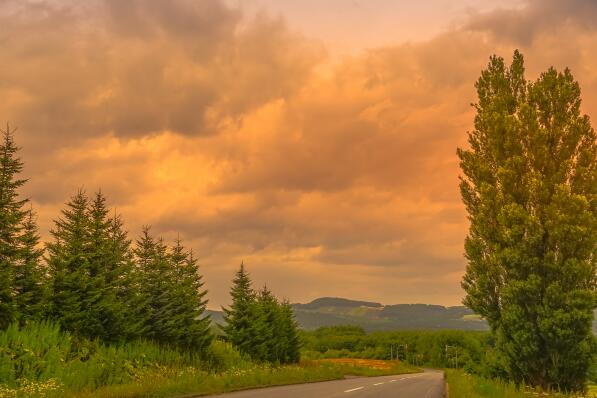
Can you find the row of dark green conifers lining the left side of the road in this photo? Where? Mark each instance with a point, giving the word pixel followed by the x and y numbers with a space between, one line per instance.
pixel 95 282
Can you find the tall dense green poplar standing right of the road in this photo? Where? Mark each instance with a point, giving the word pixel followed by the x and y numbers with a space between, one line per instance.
pixel 530 188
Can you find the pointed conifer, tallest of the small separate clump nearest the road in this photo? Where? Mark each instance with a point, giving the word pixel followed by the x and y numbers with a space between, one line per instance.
pixel 239 320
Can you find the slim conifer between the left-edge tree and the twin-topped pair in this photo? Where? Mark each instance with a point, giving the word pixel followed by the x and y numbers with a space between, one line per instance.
pixel 30 278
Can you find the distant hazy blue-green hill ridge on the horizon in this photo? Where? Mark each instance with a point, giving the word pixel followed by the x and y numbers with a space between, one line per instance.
pixel 331 311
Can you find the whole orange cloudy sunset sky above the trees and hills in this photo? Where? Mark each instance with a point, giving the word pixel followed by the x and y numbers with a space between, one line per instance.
pixel 313 140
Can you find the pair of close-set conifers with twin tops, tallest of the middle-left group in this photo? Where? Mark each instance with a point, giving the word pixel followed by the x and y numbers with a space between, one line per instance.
pixel 83 297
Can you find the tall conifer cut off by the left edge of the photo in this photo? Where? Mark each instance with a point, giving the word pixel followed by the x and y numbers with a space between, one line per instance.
pixel 11 221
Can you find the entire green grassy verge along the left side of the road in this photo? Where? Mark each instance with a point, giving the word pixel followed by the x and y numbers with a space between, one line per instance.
pixel 39 360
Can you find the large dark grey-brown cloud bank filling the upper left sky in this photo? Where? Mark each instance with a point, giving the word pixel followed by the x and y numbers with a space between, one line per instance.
pixel 138 68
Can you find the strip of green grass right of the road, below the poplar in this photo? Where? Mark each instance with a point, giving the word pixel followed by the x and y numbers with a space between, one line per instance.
pixel 462 385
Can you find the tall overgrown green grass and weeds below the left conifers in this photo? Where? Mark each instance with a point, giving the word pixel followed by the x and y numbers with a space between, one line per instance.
pixel 39 354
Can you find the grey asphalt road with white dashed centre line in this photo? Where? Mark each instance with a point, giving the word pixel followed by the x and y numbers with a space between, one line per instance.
pixel 419 385
